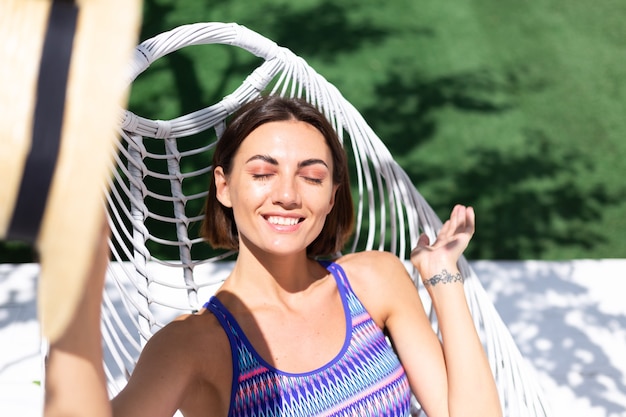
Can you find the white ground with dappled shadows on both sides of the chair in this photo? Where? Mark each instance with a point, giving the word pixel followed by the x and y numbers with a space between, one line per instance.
pixel 568 319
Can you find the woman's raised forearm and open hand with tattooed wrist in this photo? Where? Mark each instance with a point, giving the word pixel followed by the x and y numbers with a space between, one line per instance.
pixel 471 389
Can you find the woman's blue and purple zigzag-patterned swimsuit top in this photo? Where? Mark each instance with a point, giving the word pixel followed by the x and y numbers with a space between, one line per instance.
pixel 364 379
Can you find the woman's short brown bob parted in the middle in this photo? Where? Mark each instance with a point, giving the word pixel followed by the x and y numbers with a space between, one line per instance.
pixel 219 227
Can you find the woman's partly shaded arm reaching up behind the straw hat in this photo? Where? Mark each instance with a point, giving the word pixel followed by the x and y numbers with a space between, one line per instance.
pixel 75 381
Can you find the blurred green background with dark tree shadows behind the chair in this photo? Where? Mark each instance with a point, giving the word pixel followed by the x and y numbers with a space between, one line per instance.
pixel 514 108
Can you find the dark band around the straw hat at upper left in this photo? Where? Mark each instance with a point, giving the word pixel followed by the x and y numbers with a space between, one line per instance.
pixel 47 123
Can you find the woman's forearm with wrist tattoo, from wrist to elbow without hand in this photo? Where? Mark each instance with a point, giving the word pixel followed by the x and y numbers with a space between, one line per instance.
pixel 471 387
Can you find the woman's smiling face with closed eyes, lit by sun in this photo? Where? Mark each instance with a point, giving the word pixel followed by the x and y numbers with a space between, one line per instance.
pixel 280 187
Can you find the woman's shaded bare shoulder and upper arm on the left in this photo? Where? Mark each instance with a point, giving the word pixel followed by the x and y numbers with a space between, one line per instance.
pixel 186 365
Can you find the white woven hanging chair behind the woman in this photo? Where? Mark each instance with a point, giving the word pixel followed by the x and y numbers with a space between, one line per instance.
pixel 144 292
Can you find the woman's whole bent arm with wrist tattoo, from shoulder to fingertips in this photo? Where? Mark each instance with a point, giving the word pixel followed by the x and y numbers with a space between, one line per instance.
pixel 449 379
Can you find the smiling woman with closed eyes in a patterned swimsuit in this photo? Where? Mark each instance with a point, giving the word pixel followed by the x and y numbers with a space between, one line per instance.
pixel 287 334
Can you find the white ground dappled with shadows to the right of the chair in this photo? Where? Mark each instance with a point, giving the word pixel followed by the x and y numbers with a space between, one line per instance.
pixel 569 320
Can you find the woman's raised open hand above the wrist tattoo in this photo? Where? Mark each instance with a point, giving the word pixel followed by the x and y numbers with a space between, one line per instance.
pixel 451 241
